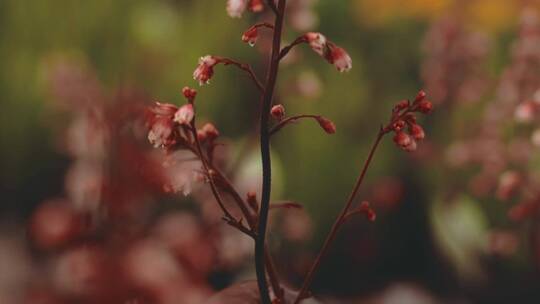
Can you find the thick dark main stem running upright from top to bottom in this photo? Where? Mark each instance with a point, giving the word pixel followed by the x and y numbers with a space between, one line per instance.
pixel 260 241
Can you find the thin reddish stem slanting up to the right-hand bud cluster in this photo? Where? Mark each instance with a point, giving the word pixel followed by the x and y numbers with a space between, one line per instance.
pixel 339 221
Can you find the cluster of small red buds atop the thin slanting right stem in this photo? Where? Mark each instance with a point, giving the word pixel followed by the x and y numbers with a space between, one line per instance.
pixel 403 122
